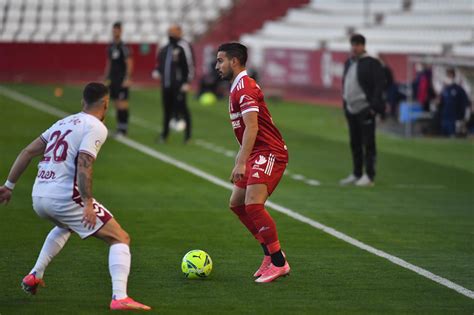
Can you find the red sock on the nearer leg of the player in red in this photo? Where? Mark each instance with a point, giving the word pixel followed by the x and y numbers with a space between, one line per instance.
pixel 264 225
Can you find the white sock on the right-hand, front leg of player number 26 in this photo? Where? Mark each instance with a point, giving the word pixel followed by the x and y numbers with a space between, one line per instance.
pixel 119 267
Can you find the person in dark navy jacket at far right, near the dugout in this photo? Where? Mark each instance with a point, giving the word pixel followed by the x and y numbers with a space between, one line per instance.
pixel 454 106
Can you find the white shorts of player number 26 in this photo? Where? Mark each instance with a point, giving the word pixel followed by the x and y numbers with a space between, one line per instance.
pixel 68 214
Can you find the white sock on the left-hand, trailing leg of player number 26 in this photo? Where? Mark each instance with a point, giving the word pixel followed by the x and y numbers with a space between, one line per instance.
pixel 53 244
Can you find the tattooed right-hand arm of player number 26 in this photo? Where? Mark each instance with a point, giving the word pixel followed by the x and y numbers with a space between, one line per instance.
pixel 84 183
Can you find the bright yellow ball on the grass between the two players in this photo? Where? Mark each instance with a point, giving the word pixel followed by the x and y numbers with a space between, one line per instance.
pixel 196 264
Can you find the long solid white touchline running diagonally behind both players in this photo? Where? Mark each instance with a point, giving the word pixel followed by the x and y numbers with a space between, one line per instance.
pixel 26 100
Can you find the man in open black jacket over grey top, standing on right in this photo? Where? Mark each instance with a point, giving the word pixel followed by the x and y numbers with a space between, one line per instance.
pixel 363 86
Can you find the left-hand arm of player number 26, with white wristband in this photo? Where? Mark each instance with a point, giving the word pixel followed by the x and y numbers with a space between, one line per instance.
pixel 22 161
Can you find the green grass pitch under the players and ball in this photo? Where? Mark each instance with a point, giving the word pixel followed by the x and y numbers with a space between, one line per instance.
pixel 421 210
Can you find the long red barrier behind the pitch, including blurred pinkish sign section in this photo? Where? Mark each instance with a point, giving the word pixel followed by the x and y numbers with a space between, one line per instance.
pixel 296 74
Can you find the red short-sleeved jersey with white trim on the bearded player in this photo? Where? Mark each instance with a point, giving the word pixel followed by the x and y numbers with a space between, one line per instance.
pixel 246 96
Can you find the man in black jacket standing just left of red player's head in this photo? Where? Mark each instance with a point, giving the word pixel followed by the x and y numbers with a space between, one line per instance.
pixel 175 73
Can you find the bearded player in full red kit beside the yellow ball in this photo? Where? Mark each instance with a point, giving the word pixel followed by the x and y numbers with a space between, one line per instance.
pixel 260 162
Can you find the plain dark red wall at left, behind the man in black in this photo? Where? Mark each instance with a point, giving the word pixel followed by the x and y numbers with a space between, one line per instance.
pixel 47 62
